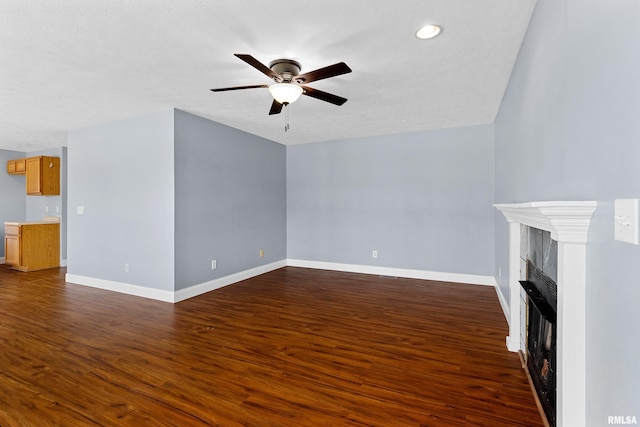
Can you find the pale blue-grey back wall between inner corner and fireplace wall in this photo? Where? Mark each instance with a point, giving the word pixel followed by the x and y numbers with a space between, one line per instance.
pixel 422 200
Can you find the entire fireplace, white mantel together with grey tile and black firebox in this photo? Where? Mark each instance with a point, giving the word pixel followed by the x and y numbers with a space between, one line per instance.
pixel 567 223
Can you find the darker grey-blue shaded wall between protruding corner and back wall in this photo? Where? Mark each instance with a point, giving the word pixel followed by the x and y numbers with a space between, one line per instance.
pixel 230 202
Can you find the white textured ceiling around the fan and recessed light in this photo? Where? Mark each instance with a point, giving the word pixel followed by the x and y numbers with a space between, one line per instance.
pixel 68 64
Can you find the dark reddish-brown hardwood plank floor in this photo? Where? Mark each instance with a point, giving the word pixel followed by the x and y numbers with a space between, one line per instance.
pixel 294 347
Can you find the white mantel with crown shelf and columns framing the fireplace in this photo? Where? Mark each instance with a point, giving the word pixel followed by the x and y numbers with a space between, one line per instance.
pixel 568 222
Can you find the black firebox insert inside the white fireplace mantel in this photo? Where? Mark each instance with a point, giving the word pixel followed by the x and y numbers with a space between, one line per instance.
pixel 541 337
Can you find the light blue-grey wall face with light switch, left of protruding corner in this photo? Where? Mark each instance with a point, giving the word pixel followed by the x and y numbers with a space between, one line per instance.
pixel 122 173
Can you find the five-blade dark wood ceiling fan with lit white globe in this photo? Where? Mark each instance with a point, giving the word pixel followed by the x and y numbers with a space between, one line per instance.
pixel 289 83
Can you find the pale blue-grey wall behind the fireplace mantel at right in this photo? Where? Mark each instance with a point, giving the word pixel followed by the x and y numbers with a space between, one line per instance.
pixel 568 129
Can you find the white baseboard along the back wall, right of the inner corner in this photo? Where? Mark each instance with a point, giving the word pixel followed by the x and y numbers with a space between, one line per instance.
pixel 397 272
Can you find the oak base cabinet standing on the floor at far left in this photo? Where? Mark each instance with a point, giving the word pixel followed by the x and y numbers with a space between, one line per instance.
pixel 32 246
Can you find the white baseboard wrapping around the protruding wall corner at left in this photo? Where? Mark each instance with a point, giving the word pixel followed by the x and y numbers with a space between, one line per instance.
pixel 171 296
